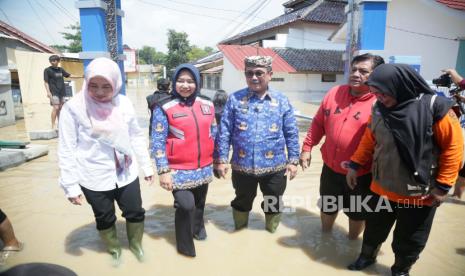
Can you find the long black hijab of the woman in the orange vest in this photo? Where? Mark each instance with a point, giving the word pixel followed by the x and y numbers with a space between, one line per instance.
pixel 411 120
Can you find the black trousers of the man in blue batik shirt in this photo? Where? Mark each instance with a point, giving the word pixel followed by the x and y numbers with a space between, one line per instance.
pixel 272 186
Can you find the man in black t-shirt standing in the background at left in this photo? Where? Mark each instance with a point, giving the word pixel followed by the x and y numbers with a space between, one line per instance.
pixel 55 86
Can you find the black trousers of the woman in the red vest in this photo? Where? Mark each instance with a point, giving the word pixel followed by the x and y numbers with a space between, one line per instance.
pixel 188 219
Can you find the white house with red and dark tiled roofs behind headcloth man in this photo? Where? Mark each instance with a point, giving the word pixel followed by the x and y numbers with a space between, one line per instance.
pixel 305 63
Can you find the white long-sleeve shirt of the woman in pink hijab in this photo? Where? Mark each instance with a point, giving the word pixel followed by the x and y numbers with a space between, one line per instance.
pixel 85 161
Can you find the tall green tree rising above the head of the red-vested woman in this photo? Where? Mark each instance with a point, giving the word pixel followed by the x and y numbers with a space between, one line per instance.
pixel 178 48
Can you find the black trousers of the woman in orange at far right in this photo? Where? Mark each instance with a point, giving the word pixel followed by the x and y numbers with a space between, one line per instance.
pixel 413 225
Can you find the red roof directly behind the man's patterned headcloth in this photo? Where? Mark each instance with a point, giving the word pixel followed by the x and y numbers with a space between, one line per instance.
pixel 237 53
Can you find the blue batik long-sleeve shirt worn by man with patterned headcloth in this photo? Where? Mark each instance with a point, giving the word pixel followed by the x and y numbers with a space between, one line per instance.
pixel 259 131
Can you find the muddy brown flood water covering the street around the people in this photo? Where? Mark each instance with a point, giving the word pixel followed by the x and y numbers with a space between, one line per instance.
pixel 55 231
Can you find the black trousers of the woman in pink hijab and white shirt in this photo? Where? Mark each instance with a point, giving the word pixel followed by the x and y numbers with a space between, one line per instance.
pixel 103 204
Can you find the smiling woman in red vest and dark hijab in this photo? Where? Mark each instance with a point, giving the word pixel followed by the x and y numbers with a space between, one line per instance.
pixel 183 131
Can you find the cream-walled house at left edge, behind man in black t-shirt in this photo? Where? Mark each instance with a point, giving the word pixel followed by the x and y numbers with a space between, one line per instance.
pixel 21 82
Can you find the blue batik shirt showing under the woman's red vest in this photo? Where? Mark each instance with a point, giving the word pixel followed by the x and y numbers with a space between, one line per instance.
pixel 182 179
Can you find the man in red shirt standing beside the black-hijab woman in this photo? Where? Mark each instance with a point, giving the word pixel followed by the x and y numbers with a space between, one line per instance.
pixel 342 118
